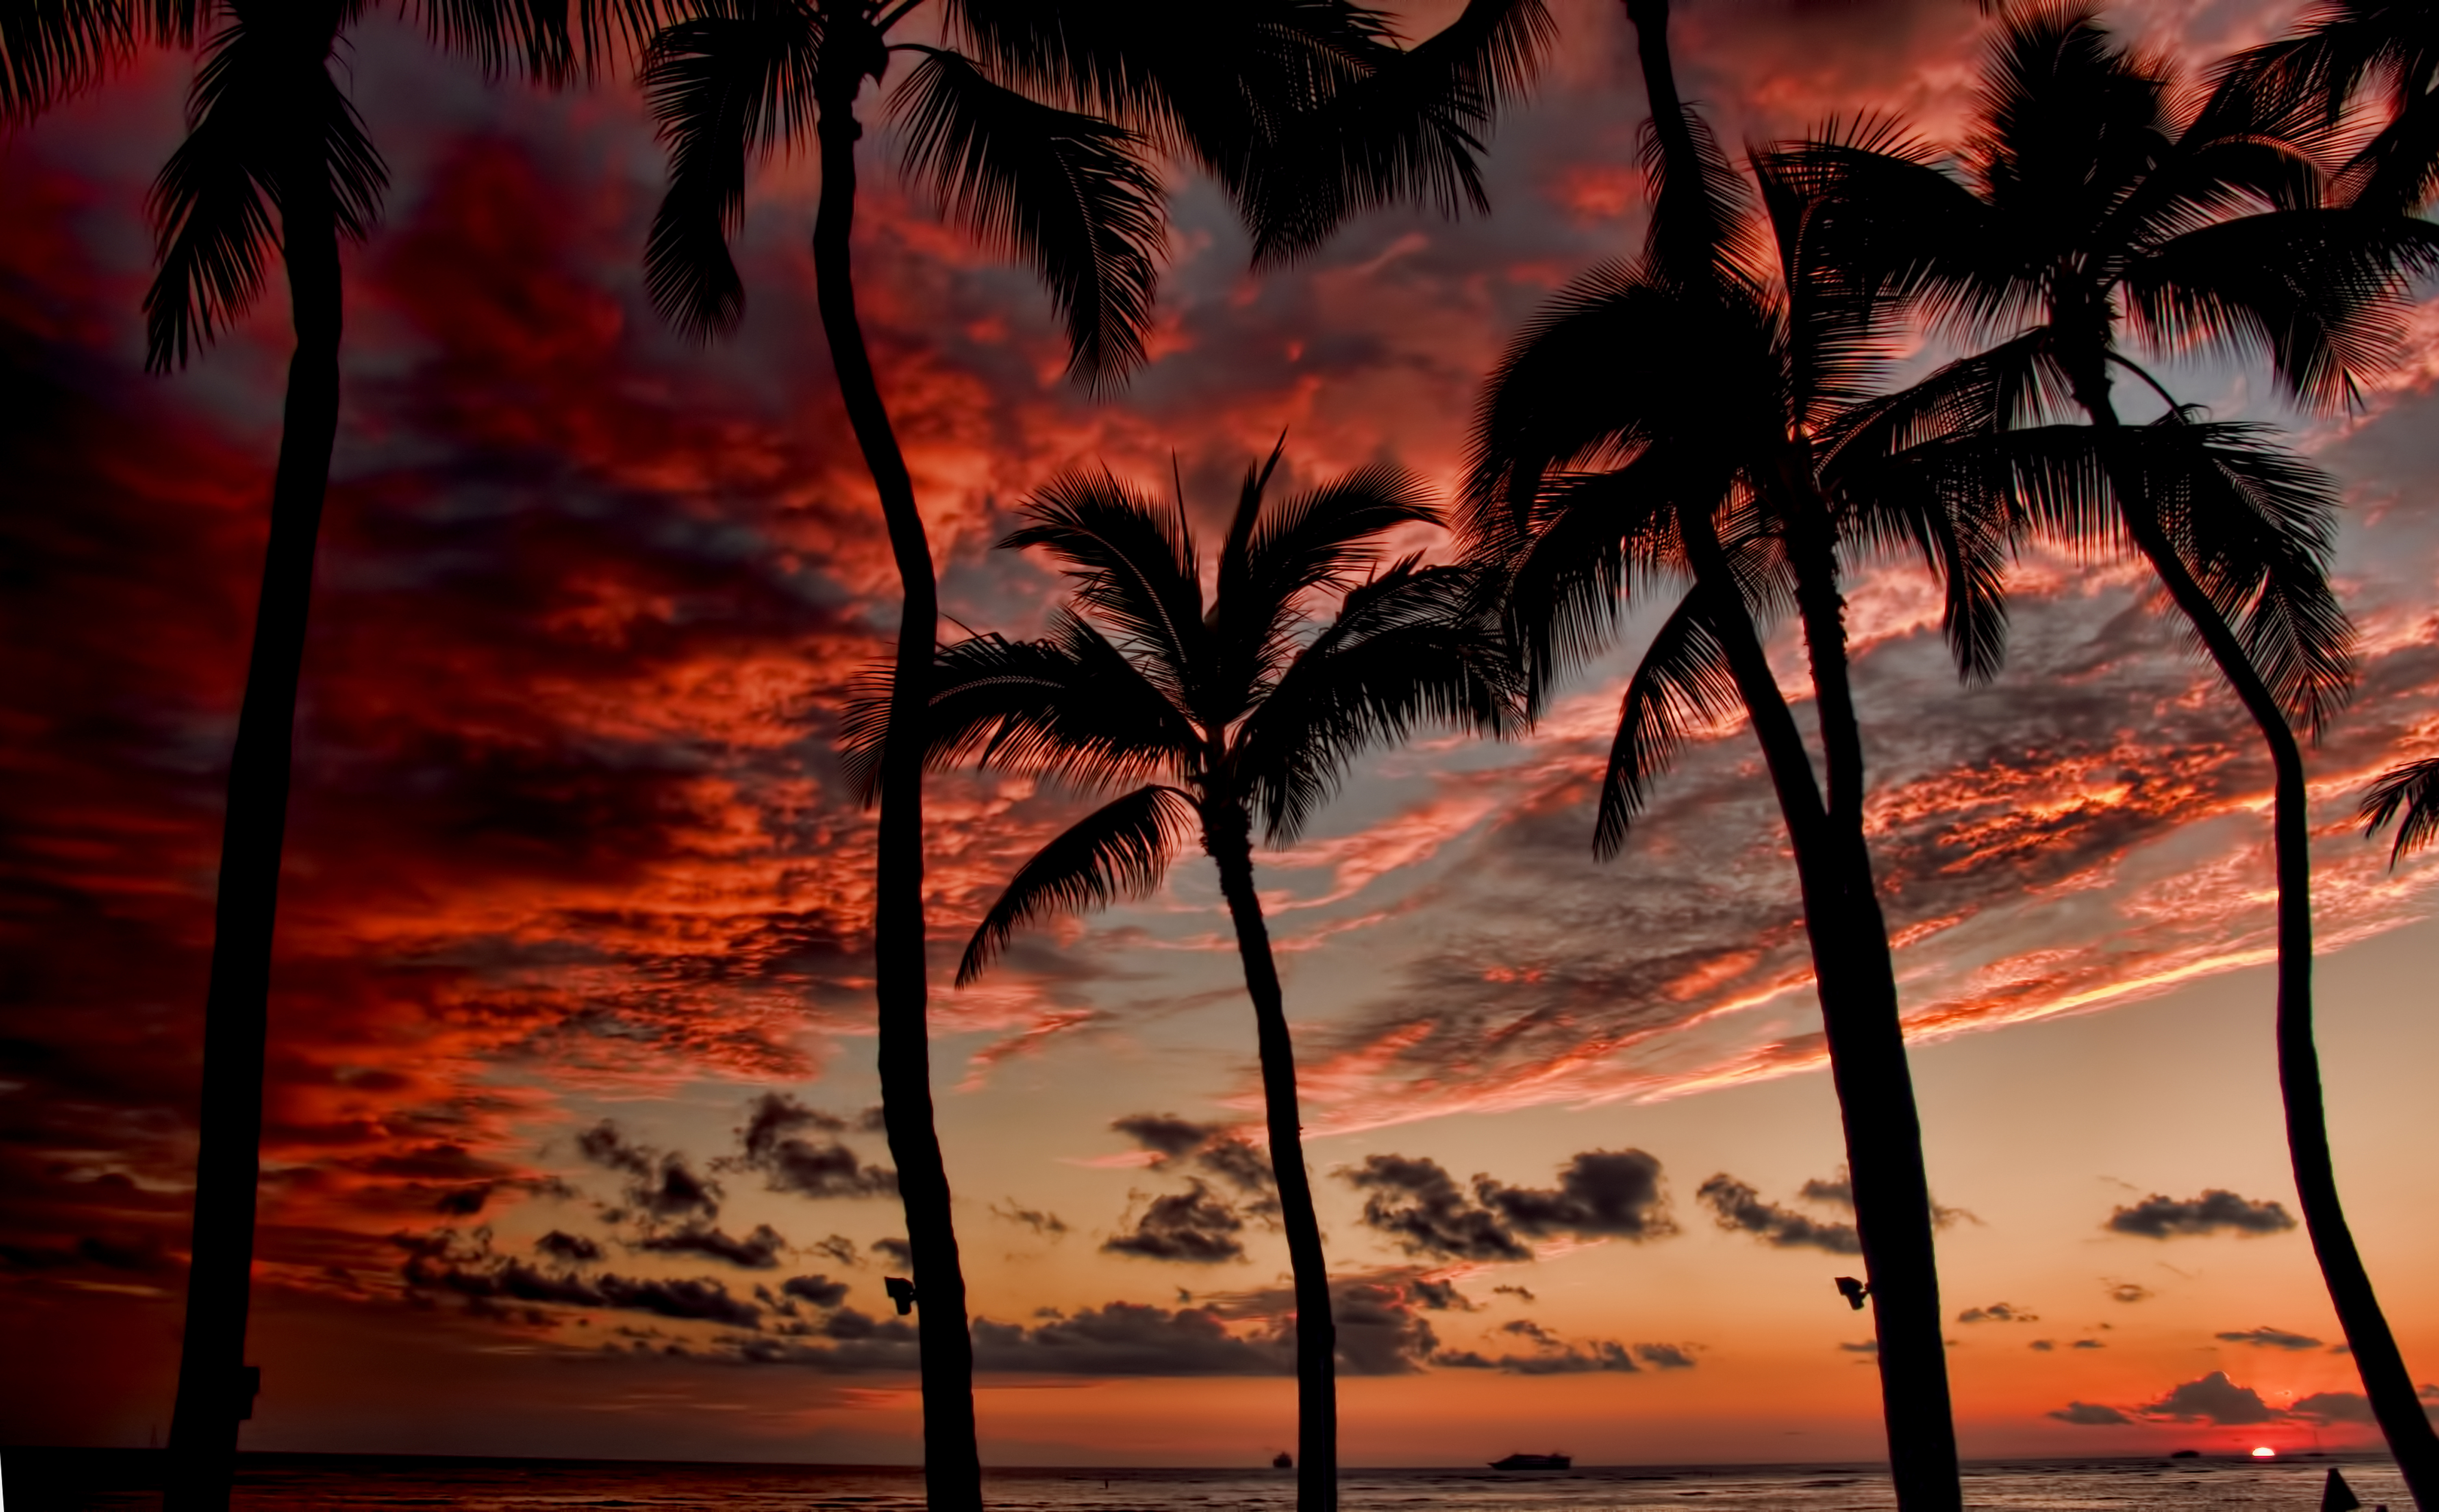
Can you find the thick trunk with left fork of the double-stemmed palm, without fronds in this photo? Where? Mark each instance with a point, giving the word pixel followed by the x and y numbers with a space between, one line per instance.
pixel 1867 1060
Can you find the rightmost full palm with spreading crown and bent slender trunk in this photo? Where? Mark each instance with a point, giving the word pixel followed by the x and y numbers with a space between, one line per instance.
pixel 2091 204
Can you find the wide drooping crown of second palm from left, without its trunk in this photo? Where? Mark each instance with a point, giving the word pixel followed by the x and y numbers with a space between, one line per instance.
pixel 1040 130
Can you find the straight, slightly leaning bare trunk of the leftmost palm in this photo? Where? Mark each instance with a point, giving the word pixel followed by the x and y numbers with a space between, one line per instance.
pixel 213 1384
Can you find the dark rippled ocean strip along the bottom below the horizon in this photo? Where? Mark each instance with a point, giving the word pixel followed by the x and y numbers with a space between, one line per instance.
pixel 79 1482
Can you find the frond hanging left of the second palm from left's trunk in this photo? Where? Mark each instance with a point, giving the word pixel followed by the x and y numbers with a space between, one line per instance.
pixel 726 84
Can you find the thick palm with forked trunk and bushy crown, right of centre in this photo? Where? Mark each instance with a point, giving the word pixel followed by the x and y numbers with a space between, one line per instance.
pixel 1745 462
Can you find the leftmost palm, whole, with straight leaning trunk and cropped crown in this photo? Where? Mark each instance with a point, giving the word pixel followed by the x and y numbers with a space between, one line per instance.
pixel 270 133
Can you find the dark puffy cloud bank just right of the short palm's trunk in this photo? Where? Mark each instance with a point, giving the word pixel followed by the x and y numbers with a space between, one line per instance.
pixel 1423 1211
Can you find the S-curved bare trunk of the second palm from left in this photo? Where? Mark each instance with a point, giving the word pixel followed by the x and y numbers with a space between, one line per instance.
pixel 952 1464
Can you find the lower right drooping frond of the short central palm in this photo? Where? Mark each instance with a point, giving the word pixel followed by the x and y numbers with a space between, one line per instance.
pixel 1411 647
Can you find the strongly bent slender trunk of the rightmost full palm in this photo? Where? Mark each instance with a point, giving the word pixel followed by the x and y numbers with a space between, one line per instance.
pixel 2377 1355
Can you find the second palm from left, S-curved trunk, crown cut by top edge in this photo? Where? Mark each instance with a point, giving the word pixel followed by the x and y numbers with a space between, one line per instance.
pixel 1040 135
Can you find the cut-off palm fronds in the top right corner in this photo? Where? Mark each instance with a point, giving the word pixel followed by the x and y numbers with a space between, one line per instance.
pixel 2345 48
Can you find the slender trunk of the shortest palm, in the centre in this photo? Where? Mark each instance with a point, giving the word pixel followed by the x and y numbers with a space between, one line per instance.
pixel 1228 835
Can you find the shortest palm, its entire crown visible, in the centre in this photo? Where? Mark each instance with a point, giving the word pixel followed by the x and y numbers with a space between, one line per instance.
pixel 1228 718
